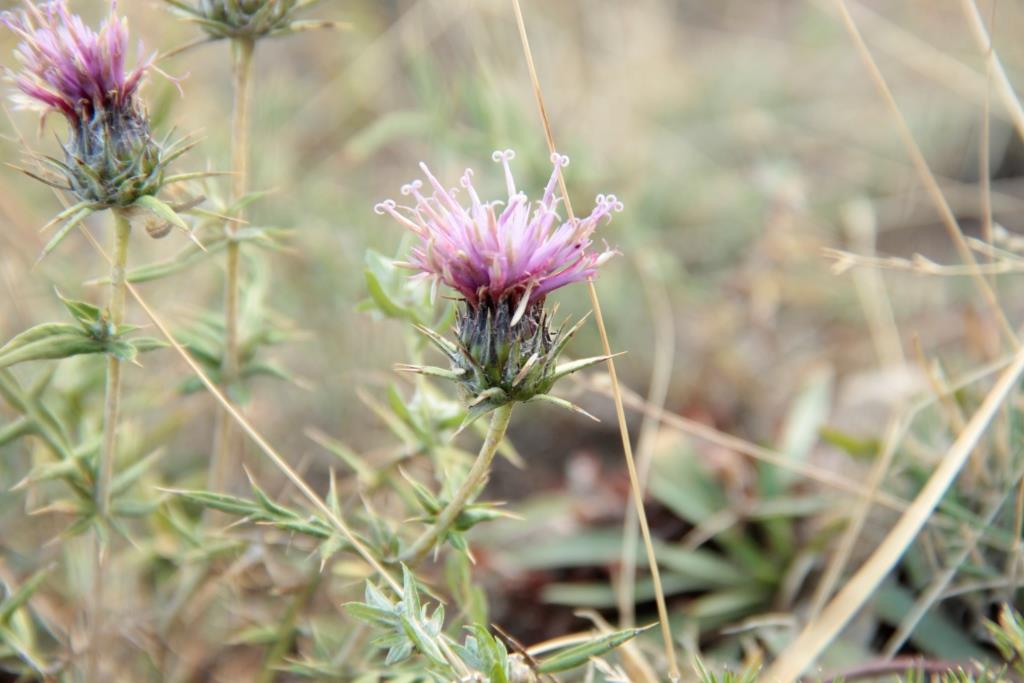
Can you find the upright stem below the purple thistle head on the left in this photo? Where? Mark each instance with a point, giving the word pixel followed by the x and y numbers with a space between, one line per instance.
pixel 108 454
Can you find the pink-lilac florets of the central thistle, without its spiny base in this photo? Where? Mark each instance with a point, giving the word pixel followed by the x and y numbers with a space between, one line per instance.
pixel 498 252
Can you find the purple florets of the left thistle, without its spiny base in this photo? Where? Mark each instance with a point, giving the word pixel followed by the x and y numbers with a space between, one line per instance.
pixel 70 68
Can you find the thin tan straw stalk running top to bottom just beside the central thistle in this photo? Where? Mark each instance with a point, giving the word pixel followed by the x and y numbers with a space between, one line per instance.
pixel 637 492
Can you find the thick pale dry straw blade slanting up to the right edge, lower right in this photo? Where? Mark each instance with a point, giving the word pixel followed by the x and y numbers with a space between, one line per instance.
pixel 820 632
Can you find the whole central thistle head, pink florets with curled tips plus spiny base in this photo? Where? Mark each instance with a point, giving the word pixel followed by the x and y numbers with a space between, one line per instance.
pixel 503 259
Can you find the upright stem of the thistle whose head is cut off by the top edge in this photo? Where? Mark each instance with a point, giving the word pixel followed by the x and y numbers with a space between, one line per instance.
pixel 242 52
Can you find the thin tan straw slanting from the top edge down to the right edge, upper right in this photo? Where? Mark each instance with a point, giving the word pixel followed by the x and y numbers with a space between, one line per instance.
pixel 931 185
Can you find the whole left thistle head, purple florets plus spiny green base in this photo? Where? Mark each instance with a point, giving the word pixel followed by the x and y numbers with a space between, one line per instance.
pixel 111 158
